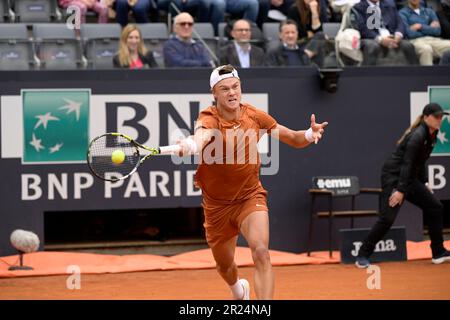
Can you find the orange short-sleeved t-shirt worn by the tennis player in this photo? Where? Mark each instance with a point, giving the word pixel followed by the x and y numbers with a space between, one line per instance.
pixel 225 176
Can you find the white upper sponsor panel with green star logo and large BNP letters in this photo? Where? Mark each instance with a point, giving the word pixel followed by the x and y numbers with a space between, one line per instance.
pixel 48 126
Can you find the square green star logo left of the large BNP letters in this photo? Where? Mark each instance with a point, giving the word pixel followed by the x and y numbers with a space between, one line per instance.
pixel 56 125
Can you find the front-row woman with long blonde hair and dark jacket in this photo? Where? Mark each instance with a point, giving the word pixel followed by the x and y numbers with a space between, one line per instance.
pixel 132 52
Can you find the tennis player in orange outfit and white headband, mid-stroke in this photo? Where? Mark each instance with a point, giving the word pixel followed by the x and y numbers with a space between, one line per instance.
pixel 234 200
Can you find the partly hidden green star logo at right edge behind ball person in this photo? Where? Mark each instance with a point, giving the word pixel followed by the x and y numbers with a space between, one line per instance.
pixel 441 95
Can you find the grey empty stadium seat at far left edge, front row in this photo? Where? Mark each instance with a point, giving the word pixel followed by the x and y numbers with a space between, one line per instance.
pixel 16 49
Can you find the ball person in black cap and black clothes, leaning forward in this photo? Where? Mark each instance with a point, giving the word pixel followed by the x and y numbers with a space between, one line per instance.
pixel 404 176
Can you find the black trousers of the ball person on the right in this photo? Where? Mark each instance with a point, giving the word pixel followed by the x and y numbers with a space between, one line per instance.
pixel 419 195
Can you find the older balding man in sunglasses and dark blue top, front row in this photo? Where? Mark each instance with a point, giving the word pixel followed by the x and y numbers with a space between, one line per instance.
pixel 183 51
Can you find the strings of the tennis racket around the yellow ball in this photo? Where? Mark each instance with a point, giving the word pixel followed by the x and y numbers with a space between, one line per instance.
pixel 100 157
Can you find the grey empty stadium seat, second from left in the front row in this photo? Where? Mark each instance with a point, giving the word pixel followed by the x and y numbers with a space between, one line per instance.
pixel 57 46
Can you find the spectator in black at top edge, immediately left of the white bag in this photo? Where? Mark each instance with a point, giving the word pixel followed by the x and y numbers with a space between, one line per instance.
pixel 309 16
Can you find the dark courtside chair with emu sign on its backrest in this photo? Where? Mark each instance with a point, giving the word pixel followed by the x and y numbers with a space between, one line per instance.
pixel 331 188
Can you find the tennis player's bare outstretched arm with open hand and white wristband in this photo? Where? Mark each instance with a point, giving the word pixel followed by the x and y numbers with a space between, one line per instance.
pixel 300 138
